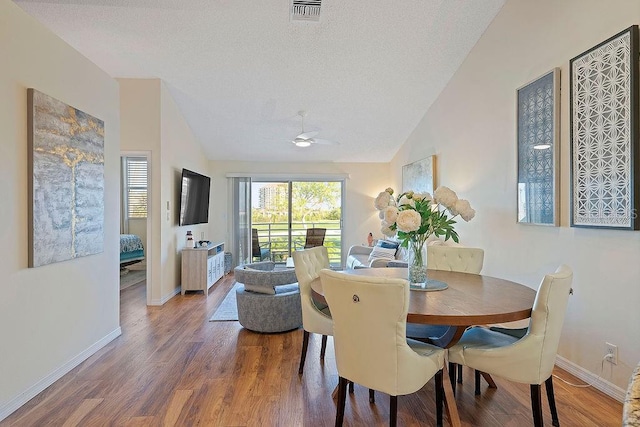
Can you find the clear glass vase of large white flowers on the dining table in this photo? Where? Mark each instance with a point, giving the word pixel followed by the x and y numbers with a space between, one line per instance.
pixel 414 217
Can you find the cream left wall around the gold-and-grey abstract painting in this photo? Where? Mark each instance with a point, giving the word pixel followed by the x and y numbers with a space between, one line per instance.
pixel 51 317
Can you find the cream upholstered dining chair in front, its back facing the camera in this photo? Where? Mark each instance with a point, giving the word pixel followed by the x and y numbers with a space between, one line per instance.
pixel 371 348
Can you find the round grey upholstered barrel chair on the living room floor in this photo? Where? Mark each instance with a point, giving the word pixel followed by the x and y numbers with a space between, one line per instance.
pixel 269 301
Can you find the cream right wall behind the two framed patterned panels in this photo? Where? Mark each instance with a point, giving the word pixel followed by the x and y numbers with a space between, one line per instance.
pixel 472 130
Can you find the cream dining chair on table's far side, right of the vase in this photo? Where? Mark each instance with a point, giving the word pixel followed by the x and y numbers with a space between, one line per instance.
pixel 449 258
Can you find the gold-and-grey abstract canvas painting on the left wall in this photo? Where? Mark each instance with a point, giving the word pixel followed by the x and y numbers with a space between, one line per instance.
pixel 66 181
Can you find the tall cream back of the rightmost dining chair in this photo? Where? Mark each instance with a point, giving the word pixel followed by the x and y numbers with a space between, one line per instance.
pixel 547 316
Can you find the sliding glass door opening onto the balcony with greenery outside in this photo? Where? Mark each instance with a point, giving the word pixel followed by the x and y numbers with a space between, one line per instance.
pixel 282 211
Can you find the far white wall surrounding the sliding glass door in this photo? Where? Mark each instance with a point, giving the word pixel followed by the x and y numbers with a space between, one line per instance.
pixel 365 181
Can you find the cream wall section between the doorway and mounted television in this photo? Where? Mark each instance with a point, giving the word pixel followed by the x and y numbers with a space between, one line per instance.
pixel 152 122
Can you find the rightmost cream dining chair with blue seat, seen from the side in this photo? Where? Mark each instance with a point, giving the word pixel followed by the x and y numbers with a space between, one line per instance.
pixel 529 359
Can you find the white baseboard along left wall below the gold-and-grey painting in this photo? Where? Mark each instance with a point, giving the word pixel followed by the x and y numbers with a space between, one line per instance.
pixel 38 387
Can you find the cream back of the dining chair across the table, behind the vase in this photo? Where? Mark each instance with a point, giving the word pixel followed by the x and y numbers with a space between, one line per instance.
pixel 455 258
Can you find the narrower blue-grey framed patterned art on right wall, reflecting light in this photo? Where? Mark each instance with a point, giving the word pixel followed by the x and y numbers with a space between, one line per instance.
pixel 538 120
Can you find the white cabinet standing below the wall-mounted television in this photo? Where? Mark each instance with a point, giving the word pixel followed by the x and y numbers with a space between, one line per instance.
pixel 202 267
